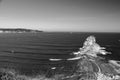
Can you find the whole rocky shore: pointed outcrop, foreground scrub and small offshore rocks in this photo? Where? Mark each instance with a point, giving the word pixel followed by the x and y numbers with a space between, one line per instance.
pixel 89 66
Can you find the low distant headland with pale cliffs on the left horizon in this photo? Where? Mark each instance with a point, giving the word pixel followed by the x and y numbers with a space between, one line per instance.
pixel 18 30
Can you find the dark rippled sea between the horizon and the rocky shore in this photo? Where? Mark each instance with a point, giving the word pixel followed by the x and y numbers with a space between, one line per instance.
pixel 29 53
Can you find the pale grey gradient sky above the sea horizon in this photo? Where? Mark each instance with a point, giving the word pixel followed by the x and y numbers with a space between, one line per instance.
pixel 61 15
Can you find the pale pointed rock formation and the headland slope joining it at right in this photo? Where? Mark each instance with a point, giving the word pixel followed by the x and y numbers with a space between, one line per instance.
pixel 93 67
